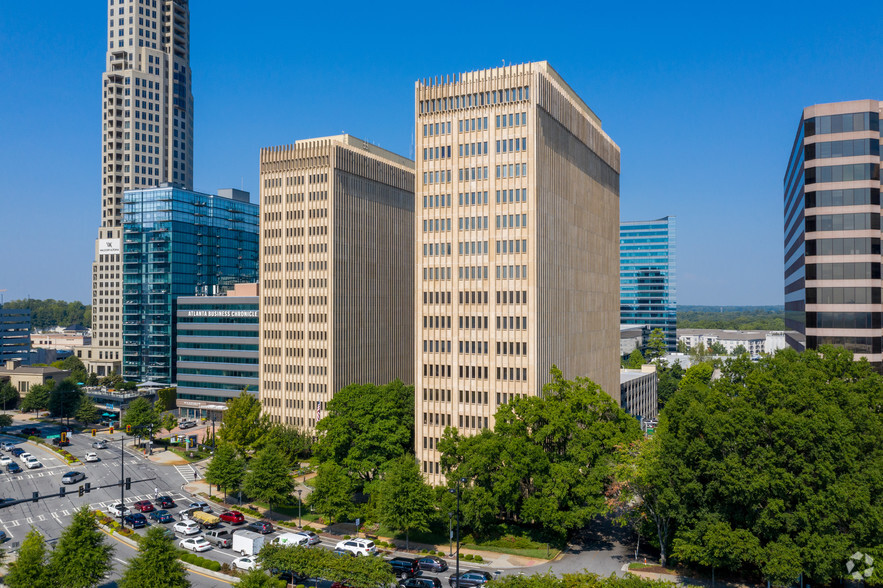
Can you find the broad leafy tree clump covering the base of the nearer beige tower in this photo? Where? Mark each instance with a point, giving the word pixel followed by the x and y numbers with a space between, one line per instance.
pixel 547 460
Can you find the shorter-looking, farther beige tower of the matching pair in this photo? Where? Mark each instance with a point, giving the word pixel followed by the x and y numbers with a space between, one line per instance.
pixel 337 273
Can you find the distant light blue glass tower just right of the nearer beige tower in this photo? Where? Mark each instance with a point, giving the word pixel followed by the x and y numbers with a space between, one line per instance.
pixel 647 276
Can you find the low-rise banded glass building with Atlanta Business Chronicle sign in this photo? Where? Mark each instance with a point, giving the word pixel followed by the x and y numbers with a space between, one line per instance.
pixel 217 351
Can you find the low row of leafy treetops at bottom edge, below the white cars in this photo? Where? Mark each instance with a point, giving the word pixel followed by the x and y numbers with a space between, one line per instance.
pixel 362 572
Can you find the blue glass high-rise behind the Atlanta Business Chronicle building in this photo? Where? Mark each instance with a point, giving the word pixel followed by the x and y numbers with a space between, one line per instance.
pixel 178 242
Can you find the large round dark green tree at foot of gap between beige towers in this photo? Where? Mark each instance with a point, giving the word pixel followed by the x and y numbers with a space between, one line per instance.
pixel 366 426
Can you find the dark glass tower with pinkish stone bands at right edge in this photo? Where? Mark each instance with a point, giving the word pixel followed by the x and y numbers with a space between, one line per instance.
pixel 832 230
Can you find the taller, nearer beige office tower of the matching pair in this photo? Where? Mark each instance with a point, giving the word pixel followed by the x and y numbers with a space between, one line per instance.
pixel 517 246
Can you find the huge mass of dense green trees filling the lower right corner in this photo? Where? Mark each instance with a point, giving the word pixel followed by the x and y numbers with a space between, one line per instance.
pixel 774 469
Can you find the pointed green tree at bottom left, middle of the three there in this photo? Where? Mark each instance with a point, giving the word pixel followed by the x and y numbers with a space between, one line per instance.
pixel 81 557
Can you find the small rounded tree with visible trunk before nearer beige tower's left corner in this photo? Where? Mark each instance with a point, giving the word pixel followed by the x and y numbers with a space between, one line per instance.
pixel 406 502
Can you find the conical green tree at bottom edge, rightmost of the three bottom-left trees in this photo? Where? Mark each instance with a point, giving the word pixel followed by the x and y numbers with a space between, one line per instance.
pixel 156 565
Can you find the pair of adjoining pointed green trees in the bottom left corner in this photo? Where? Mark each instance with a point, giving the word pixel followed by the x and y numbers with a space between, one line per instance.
pixel 80 559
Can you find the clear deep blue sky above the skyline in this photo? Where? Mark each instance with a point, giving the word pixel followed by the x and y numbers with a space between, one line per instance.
pixel 702 98
